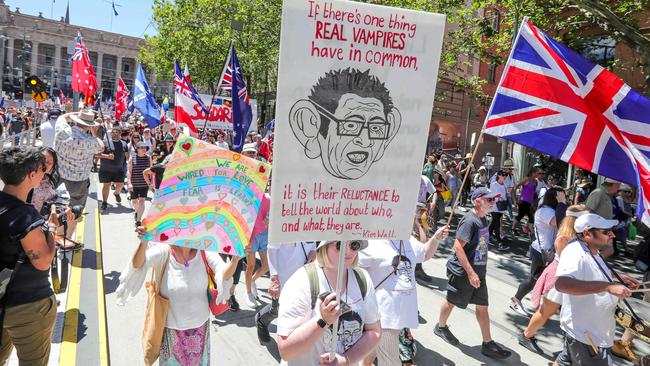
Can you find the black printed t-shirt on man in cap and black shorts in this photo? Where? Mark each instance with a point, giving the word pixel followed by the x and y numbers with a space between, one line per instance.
pixel 474 231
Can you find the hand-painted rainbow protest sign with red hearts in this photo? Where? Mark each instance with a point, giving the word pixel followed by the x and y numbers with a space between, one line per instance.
pixel 209 198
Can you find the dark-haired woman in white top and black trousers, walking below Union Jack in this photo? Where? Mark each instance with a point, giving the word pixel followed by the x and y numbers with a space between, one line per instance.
pixel 542 250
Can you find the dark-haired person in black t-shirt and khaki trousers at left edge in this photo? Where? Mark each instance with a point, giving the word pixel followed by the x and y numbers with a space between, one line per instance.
pixel 27 303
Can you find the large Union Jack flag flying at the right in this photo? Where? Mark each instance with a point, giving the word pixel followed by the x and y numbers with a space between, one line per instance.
pixel 554 100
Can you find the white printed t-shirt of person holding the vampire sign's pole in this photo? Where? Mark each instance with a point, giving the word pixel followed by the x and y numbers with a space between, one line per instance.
pixel 295 310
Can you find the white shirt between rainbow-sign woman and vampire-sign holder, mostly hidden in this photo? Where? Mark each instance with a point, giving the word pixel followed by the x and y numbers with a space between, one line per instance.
pixel 286 258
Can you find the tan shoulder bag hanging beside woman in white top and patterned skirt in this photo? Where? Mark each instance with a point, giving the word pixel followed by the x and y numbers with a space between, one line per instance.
pixel 155 317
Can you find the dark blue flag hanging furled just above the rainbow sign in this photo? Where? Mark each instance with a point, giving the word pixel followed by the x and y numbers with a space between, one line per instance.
pixel 242 113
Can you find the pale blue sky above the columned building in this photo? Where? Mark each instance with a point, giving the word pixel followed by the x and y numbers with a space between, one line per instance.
pixel 134 15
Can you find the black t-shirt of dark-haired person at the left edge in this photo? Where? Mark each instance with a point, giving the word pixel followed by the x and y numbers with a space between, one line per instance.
pixel 29 284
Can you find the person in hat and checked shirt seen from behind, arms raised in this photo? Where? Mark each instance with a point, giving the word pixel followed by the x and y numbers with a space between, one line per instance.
pixel 76 144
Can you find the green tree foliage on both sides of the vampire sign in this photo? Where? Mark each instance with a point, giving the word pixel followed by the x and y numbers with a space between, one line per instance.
pixel 199 31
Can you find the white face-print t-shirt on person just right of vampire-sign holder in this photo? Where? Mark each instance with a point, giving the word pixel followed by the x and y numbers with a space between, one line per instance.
pixel 397 296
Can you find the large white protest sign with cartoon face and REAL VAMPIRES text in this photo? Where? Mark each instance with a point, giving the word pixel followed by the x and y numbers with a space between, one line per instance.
pixel 355 93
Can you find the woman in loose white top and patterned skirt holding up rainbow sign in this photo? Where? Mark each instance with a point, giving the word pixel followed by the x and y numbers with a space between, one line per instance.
pixel 186 338
